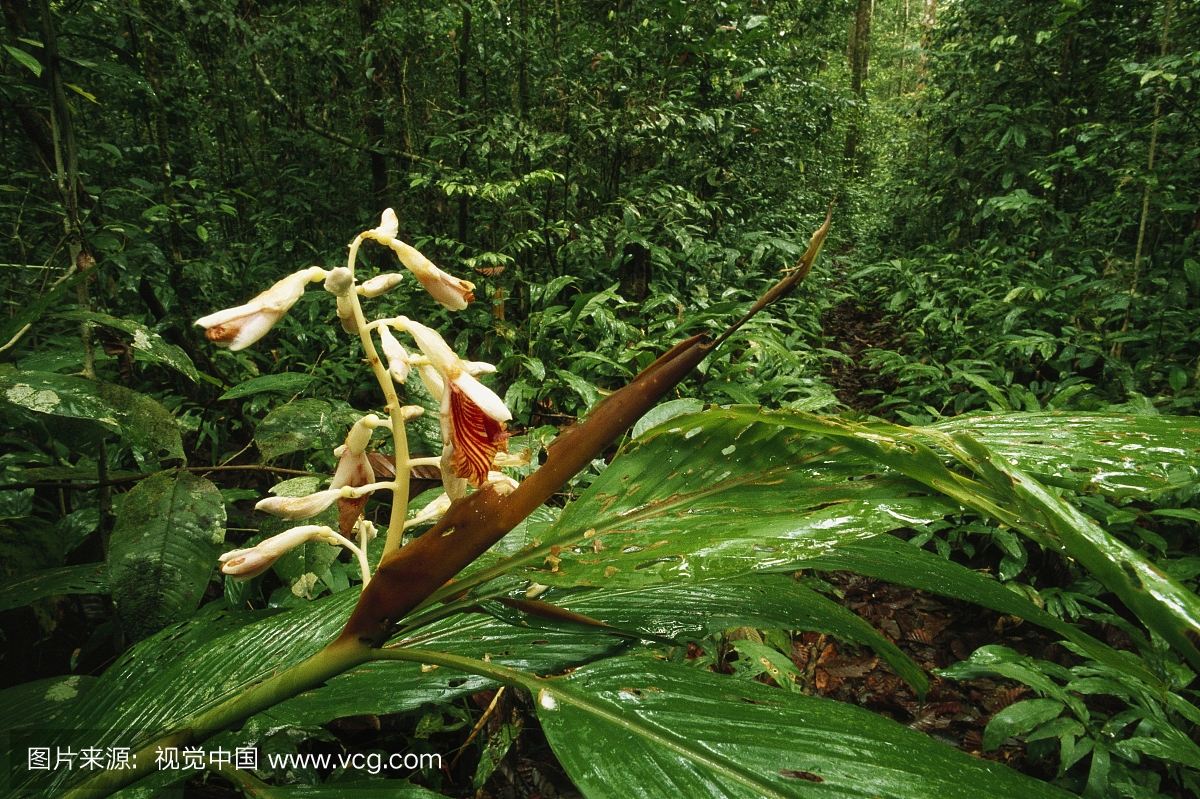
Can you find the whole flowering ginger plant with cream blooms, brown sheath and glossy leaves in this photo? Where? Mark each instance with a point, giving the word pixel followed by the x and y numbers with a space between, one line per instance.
pixel 686 532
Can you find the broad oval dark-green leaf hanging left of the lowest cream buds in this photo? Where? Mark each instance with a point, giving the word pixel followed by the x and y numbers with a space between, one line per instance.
pixel 164 549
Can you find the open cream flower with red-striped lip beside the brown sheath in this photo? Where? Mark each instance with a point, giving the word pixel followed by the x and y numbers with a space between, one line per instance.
pixel 472 416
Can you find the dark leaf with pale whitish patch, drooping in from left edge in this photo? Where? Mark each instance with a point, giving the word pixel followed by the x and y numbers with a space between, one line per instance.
pixel 139 418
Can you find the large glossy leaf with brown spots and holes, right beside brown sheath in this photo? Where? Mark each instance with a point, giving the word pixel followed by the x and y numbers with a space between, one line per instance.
pixel 715 496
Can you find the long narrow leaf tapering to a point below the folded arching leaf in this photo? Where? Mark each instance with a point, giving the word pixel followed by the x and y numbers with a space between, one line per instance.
pixel 897 562
